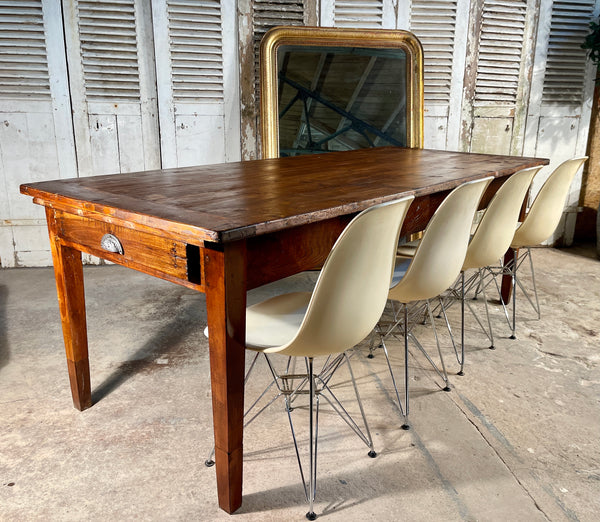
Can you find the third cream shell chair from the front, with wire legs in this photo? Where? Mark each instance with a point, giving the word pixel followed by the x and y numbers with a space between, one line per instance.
pixel 488 245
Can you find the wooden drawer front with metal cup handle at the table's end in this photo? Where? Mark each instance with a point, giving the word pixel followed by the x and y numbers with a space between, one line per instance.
pixel 160 256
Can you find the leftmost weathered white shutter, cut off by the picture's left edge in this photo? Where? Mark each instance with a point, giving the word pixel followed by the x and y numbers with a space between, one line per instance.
pixel 36 132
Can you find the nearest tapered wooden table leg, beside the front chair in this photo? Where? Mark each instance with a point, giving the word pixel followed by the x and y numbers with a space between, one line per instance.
pixel 225 281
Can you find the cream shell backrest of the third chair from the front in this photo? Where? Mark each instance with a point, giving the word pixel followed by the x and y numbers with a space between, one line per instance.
pixel 497 226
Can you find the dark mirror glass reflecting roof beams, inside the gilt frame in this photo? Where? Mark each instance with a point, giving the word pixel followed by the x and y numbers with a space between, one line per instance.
pixel 340 98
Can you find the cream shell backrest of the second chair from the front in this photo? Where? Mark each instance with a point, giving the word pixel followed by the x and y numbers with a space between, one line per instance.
pixel 441 251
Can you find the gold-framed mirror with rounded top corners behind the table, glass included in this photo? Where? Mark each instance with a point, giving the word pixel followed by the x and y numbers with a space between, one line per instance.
pixel 325 89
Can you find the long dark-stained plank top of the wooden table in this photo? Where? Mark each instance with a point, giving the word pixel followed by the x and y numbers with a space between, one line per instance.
pixel 231 201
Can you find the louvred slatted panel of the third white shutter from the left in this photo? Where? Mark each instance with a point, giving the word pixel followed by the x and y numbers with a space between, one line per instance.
pixel 196 42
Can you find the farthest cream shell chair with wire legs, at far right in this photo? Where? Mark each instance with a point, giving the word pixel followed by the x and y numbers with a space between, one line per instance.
pixel 539 224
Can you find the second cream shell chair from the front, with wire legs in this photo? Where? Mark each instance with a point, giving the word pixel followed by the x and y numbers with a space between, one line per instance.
pixel 434 267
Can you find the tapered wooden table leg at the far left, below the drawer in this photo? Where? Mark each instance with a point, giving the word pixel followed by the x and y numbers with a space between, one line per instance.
pixel 68 272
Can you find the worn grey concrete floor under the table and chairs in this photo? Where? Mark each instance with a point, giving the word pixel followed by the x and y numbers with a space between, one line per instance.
pixel 517 438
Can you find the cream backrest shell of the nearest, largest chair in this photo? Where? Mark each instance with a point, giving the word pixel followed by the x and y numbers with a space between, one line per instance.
pixel 351 291
